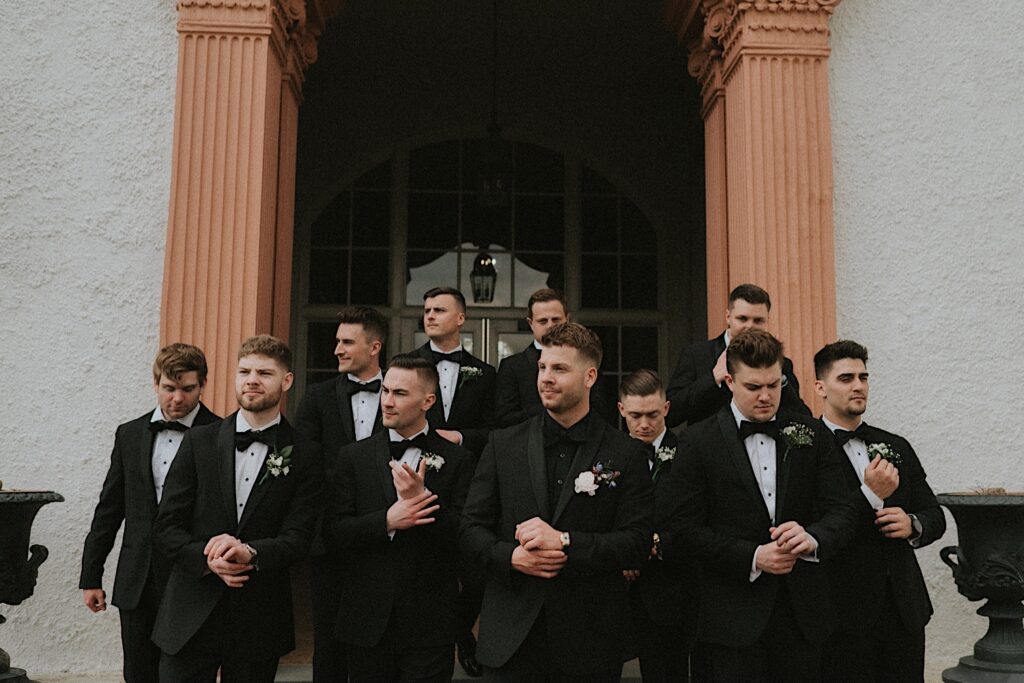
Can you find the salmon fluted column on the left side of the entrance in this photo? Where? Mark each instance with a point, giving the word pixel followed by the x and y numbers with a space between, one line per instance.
pixel 229 257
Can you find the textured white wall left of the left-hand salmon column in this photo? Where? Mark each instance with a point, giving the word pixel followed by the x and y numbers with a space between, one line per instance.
pixel 86 138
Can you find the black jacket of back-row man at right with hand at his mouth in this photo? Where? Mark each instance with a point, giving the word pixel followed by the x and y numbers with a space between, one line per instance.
pixel 695 395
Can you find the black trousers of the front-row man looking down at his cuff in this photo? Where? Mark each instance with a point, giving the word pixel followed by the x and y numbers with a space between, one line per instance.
pixel 781 656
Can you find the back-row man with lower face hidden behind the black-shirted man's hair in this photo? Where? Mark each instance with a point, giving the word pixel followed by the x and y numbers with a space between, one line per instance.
pixel 517 398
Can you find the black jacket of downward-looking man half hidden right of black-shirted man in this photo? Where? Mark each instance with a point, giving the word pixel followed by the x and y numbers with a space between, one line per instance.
pixel 668 586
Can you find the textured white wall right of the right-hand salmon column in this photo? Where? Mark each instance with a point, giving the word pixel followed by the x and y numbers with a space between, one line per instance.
pixel 929 161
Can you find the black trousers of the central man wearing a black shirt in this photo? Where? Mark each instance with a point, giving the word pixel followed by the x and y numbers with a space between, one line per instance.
pixel 536 662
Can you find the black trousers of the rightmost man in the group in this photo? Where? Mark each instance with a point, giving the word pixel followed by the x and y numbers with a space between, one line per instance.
pixel 885 652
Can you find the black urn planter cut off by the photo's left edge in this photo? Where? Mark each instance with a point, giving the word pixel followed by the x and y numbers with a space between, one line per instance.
pixel 19 562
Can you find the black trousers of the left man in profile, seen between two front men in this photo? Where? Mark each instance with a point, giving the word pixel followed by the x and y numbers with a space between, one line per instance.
pixel 330 665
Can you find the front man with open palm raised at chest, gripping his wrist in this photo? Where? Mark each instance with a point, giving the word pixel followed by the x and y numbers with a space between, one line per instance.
pixel 396 503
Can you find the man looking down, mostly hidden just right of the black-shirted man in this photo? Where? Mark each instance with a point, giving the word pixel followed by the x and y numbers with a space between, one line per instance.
pixel 664 591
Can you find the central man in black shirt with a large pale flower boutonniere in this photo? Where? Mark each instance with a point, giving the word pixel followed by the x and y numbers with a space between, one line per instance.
pixel 561 505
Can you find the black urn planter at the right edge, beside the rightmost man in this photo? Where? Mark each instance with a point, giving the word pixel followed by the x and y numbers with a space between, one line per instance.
pixel 989 564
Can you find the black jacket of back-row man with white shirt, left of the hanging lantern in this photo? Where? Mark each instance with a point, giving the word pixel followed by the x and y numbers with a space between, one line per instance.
pixel 473 407
